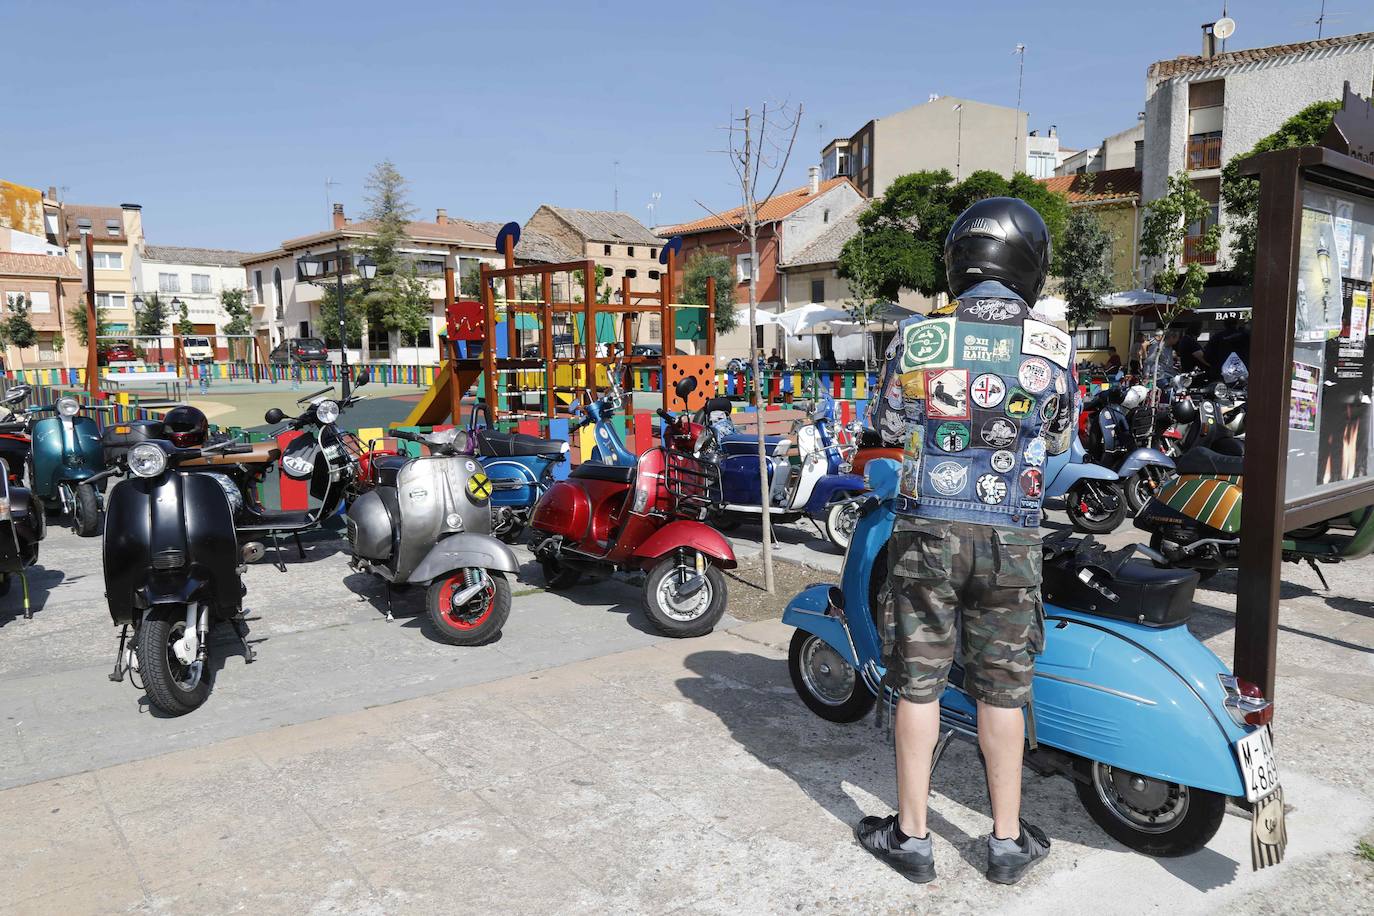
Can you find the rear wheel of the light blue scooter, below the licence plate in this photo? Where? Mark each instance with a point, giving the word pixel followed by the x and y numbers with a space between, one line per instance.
pixel 1148 815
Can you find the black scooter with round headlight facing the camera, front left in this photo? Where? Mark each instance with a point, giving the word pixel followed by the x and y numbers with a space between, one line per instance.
pixel 172 568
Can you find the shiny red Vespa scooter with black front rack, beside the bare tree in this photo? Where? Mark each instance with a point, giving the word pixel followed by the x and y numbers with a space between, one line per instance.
pixel 608 518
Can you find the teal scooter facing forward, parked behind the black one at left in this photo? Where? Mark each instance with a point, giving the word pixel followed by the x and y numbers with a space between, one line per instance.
pixel 67 453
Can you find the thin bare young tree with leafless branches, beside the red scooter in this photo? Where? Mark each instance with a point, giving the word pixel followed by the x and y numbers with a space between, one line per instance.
pixel 759 150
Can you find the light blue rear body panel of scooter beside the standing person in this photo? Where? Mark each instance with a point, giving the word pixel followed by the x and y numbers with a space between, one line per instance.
pixel 1140 698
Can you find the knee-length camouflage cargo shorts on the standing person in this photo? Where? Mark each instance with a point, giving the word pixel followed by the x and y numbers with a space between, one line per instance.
pixel 983 579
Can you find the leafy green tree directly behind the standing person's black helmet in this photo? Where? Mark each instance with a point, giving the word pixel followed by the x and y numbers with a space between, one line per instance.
pixel 901 240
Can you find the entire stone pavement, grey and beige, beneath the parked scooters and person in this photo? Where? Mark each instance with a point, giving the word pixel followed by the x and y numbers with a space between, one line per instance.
pixel 581 764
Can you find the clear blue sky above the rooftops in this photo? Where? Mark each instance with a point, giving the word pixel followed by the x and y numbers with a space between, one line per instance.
pixel 225 120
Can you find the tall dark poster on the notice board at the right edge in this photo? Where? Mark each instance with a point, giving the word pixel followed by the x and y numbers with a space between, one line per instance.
pixel 1344 411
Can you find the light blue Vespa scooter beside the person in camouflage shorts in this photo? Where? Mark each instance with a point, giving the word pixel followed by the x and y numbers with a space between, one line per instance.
pixel 1153 730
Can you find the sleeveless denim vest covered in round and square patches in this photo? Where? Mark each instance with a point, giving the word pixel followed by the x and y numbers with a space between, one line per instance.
pixel 971 395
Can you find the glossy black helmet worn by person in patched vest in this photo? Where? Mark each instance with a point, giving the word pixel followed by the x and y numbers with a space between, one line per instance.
pixel 1000 240
